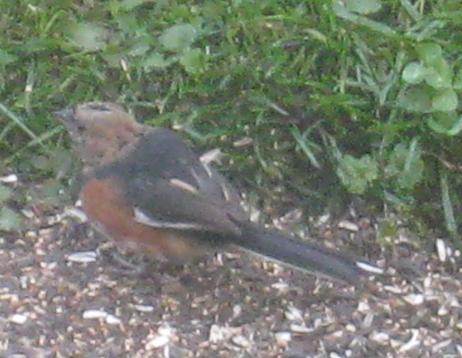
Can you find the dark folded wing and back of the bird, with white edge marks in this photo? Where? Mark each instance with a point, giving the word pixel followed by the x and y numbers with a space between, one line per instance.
pixel 170 187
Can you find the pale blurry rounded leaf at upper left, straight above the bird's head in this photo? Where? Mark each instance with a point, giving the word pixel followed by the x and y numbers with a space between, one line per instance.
pixel 88 36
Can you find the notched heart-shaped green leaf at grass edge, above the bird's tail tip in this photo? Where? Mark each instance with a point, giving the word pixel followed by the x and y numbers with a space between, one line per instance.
pixel 357 174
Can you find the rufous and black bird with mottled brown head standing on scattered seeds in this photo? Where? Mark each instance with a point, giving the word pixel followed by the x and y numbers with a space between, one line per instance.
pixel 147 190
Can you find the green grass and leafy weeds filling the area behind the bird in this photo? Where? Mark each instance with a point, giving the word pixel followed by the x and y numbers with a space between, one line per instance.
pixel 360 99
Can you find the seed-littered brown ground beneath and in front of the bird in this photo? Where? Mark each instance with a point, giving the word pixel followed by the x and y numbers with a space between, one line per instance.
pixel 62 295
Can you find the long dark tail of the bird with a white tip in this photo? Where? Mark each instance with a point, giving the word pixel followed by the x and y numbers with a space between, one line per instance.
pixel 302 255
